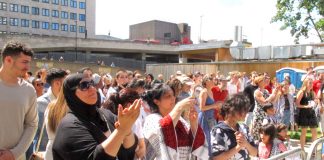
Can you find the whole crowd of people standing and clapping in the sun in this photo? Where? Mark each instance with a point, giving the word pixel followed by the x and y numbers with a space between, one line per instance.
pixel 130 115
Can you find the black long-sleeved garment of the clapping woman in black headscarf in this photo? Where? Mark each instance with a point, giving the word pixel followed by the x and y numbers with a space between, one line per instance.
pixel 80 139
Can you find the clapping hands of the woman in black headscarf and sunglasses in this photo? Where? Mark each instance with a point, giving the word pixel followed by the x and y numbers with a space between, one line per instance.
pixel 128 116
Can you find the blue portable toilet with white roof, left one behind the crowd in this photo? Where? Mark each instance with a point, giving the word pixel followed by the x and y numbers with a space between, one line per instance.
pixel 294 74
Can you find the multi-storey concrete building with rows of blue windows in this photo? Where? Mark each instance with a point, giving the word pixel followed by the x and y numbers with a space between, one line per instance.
pixel 68 18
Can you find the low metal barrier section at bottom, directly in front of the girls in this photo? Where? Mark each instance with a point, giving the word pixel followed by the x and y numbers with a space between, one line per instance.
pixel 296 153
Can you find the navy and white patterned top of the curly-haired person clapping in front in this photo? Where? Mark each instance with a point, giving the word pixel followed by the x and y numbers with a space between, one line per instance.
pixel 223 139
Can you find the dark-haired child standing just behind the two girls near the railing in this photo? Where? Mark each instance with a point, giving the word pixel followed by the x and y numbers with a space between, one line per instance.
pixel 270 114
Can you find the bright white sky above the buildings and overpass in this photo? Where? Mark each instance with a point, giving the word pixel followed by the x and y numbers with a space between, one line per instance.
pixel 218 19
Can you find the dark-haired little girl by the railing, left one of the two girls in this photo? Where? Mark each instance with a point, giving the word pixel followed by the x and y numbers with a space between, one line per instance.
pixel 269 145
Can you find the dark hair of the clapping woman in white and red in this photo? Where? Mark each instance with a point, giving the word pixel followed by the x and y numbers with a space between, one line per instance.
pixel 158 90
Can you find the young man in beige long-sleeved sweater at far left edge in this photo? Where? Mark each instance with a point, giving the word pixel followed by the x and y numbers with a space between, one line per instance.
pixel 18 115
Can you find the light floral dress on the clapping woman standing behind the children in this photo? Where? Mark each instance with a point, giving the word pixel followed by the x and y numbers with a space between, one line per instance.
pixel 258 116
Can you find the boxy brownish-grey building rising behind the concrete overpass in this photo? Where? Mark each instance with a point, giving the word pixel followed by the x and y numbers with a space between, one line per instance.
pixel 160 32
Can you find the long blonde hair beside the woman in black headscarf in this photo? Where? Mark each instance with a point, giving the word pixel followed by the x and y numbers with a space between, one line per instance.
pixel 56 111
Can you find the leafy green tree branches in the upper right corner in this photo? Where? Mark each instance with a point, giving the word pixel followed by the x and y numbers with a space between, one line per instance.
pixel 301 16
